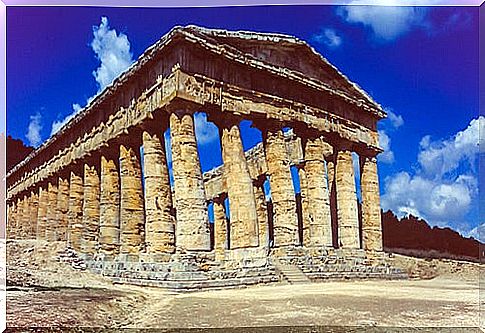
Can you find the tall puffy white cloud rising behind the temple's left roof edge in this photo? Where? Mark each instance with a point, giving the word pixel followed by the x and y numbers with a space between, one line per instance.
pixel 113 52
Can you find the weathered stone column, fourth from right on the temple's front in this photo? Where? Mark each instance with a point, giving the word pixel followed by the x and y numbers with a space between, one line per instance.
pixel 285 220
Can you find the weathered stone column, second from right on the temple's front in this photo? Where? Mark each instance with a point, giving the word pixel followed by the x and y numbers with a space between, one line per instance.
pixel 348 224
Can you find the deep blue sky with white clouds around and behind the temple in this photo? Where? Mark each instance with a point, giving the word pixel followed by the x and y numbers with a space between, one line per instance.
pixel 421 64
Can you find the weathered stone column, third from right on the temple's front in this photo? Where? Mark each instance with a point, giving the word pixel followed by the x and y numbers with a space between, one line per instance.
pixel 320 228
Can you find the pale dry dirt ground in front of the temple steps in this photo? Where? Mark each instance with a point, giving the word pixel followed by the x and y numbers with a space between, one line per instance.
pixel 43 292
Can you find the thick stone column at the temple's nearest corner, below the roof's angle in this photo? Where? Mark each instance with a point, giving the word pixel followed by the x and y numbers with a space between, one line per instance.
pixel 192 228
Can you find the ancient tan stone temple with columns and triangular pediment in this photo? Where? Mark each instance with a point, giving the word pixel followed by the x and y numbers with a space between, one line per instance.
pixel 103 185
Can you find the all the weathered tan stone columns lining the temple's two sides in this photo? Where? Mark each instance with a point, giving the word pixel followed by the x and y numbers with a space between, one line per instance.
pixel 105 210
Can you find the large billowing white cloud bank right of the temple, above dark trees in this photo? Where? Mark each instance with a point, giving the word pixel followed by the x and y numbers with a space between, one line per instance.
pixel 444 184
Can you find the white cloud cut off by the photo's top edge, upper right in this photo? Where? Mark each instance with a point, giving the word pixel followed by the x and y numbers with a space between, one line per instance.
pixel 386 20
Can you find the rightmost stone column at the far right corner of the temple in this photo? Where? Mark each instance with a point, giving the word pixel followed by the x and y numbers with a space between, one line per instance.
pixel 371 209
